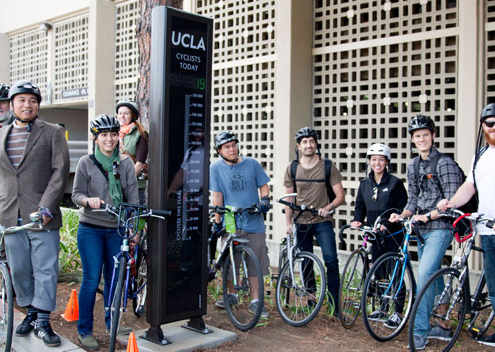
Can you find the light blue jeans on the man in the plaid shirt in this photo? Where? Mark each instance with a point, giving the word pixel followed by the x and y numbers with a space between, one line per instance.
pixel 430 254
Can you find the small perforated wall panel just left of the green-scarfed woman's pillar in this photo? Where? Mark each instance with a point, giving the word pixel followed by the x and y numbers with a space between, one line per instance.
pixel 70 52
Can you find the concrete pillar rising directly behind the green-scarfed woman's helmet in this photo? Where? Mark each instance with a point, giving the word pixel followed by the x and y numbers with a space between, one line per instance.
pixel 101 53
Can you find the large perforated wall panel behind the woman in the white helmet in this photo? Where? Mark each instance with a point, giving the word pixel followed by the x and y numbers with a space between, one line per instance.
pixel 377 64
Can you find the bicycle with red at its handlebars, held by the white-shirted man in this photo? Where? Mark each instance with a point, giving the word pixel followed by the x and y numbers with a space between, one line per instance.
pixel 455 301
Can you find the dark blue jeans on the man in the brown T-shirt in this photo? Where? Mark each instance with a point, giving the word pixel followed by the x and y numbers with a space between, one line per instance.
pixel 325 236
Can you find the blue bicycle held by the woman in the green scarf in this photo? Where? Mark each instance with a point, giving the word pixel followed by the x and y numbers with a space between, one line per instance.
pixel 128 216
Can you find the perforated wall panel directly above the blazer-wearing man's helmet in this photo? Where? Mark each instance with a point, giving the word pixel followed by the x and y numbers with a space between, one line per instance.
pixel 29 59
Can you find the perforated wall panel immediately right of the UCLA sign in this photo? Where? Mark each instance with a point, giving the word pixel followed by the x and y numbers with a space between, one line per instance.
pixel 243 75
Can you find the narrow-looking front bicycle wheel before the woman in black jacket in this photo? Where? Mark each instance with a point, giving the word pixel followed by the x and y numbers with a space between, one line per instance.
pixel 351 288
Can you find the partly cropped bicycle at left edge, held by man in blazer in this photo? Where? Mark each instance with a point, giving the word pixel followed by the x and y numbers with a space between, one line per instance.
pixel 6 288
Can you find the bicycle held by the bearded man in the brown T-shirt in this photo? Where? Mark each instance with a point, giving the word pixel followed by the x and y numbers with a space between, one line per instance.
pixel 301 282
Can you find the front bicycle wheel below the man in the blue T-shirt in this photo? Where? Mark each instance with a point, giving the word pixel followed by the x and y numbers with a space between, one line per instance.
pixel 237 303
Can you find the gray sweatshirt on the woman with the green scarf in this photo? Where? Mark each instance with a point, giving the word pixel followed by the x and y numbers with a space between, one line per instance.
pixel 90 182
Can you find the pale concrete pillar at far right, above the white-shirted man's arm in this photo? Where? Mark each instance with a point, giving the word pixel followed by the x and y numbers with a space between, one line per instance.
pixel 468 104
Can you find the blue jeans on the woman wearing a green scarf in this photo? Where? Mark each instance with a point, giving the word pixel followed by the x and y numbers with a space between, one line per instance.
pixel 97 246
